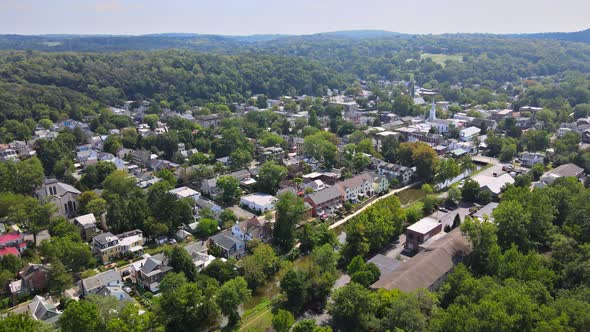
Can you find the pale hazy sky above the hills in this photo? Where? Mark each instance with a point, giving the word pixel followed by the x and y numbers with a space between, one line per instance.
pixel 246 17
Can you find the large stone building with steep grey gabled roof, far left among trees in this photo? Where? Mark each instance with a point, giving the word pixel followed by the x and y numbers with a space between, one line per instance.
pixel 63 195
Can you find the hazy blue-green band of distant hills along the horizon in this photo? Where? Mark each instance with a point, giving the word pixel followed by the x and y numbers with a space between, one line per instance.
pixel 228 44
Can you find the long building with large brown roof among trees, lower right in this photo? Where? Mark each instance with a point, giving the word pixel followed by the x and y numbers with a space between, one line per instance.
pixel 429 268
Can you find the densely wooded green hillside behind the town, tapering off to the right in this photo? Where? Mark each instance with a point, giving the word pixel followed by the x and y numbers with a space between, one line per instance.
pixel 164 75
